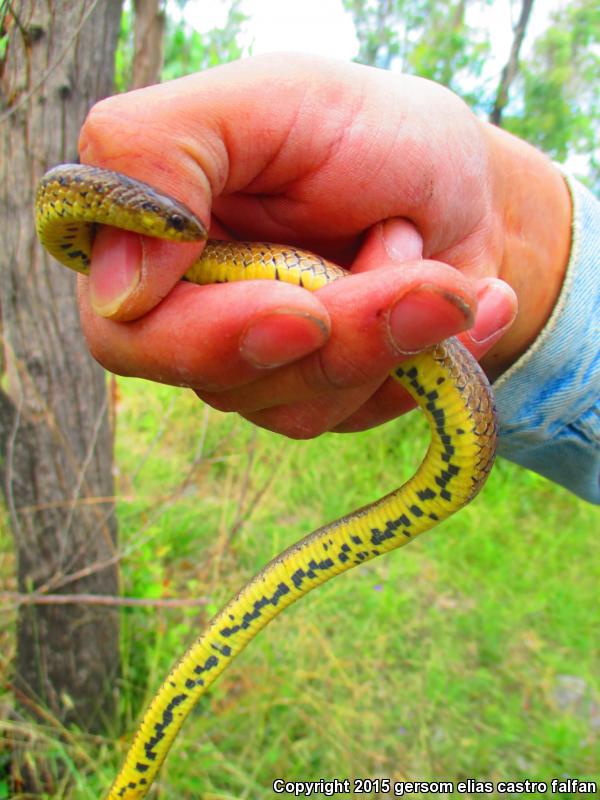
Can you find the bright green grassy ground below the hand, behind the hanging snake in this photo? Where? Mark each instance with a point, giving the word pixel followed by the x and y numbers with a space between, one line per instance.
pixel 473 653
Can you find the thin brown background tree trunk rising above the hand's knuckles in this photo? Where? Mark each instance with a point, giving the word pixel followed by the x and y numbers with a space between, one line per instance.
pixel 149 26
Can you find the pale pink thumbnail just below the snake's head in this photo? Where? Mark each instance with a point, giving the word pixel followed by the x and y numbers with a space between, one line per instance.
pixel 116 270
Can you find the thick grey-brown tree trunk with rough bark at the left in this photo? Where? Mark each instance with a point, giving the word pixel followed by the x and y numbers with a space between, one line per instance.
pixel 55 437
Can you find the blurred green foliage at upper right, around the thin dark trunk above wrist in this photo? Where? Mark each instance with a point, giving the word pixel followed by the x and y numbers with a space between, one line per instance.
pixel 555 97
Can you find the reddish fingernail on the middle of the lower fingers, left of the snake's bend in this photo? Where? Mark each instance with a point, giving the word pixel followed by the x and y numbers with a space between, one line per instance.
pixel 281 337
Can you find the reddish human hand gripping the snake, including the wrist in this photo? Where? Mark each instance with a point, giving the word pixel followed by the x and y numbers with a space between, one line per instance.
pixel 372 170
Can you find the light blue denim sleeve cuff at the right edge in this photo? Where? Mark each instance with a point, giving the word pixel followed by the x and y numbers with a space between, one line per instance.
pixel 549 400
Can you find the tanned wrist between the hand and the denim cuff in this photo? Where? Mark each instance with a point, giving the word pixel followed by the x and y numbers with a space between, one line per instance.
pixel 533 207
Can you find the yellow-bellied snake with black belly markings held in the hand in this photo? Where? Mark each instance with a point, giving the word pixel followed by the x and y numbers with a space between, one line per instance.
pixel 446 382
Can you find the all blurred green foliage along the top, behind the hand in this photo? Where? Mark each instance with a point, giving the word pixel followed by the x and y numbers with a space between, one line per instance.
pixel 554 99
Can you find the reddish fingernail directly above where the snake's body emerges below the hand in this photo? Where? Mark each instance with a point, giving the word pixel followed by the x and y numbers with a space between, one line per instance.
pixel 426 316
